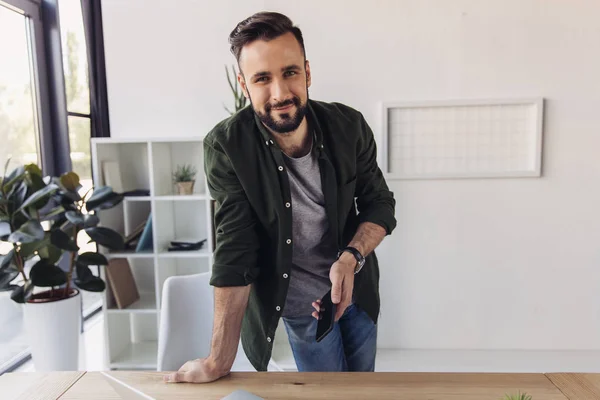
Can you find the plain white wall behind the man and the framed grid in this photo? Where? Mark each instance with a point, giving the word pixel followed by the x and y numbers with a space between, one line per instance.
pixel 473 264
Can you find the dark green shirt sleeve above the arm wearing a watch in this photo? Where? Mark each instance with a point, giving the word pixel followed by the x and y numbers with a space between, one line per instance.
pixel 375 202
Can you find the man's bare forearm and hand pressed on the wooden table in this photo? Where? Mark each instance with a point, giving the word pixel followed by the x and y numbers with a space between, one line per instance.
pixel 230 305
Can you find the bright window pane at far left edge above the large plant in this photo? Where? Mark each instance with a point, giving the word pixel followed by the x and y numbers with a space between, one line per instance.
pixel 18 129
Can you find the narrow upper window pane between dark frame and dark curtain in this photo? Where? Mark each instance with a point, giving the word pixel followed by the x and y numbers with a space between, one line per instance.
pixel 74 56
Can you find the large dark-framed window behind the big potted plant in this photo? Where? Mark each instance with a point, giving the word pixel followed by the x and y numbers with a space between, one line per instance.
pixel 46 114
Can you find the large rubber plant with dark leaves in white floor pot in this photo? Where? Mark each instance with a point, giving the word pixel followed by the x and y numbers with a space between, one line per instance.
pixel 41 219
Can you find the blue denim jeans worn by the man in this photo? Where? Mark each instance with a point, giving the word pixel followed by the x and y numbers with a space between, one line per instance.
pixel 350 346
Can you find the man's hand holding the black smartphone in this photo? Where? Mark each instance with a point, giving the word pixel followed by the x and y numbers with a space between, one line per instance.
pixel 342 284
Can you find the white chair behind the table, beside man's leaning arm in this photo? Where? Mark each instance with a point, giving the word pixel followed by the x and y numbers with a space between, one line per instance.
pixel 186 322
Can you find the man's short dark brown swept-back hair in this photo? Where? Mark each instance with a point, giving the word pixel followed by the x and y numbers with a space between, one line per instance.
pixel 262 26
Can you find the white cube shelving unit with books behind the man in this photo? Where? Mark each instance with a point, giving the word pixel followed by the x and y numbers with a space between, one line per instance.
pixel 132 333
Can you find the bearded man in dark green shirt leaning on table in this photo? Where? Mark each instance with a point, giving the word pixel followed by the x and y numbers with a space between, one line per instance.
pixel 285 173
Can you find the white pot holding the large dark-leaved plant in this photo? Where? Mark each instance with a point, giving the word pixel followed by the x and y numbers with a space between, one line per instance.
pixel 53 329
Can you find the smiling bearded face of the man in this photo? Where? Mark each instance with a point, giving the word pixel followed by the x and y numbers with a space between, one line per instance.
pixel 275 77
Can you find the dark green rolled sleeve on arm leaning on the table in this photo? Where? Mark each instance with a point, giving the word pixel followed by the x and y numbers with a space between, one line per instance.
pixel 237 244
